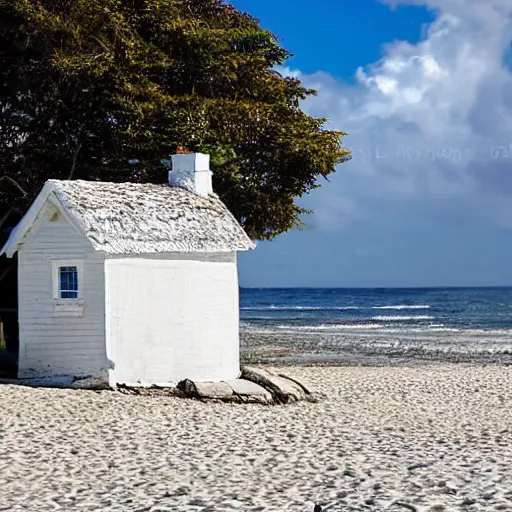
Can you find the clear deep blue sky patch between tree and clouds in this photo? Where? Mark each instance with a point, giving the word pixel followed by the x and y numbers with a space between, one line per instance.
pixel 325 39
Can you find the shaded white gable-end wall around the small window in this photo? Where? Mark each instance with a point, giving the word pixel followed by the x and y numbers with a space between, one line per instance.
pixel 51 345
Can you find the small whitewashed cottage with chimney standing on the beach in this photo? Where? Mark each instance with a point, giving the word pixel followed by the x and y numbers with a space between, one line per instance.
pixel 131 283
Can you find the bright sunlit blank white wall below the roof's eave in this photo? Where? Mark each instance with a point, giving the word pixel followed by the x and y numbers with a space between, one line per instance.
pixel 170 319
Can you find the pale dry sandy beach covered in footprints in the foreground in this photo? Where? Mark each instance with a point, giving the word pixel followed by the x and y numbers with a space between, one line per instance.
pixel 424 438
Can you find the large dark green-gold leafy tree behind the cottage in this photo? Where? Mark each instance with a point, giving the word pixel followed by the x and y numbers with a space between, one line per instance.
pixel 88 85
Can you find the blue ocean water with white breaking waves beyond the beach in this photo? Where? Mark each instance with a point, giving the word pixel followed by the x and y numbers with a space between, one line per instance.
pixel 380 321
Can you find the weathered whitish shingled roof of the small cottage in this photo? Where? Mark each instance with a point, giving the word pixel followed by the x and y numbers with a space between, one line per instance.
pixel 132 218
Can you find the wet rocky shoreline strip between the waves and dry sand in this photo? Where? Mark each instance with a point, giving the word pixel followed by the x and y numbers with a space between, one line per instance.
pixel 367 349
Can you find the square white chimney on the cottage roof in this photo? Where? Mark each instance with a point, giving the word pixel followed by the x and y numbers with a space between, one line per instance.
pixel 192 172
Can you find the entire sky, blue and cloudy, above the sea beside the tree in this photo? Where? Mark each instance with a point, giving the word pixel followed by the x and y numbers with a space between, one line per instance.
pixel 424 90
